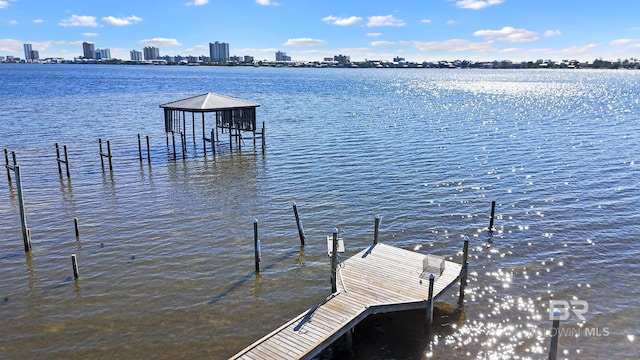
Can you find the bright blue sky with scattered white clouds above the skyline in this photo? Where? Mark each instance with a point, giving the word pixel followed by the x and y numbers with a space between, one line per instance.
pixel 417 30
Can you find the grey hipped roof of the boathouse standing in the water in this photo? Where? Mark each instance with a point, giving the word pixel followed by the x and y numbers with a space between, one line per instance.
pixel 209 102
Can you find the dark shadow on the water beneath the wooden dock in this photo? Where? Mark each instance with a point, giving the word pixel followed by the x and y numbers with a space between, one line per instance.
pixel 399 335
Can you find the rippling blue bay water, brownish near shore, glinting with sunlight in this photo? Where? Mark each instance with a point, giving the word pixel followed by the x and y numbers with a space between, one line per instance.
pixel 165 251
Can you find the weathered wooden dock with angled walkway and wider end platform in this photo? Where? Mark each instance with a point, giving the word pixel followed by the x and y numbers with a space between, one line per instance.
pixel 378 279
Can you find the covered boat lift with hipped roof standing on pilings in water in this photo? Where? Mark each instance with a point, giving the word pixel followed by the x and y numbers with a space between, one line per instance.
pixel 235 115
